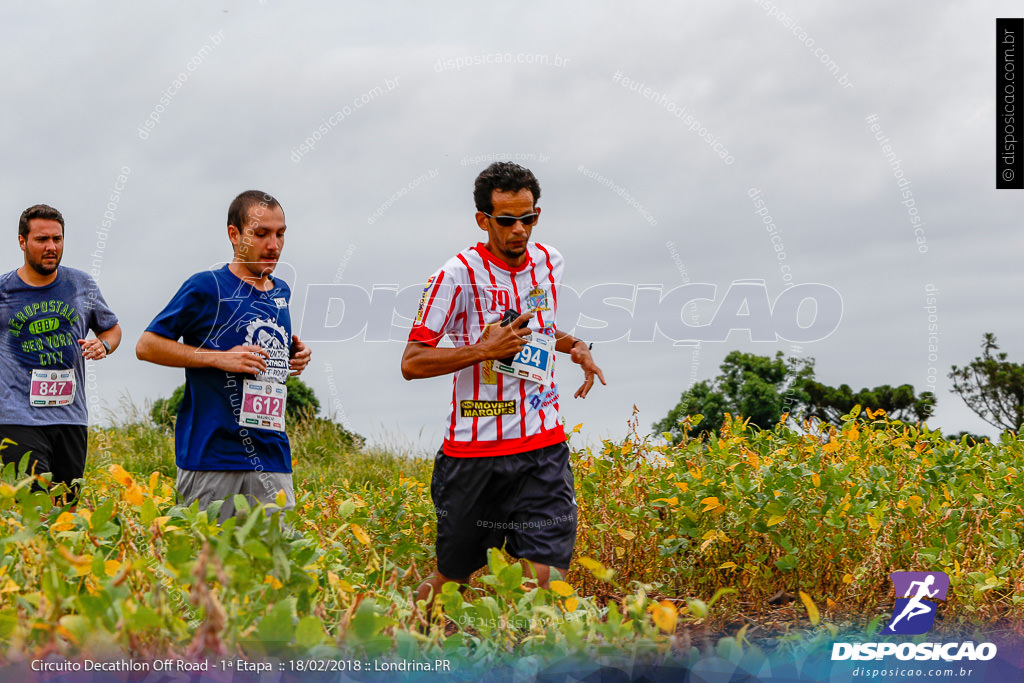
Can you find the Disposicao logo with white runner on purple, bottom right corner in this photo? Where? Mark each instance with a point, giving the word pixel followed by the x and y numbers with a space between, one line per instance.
pixel 918 594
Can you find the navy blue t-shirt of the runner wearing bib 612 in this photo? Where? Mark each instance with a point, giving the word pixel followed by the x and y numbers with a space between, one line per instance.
pixel 216 310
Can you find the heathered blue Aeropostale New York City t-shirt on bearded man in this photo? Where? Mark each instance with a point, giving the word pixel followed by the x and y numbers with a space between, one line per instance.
pixel 39 330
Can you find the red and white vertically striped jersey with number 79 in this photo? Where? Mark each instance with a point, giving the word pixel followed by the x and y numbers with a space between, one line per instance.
pixel 493 414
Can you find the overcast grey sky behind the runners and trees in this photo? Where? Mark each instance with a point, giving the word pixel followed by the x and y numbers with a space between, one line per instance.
pixel 370 121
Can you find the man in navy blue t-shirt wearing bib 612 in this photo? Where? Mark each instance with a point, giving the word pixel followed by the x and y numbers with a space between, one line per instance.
pixel 238 351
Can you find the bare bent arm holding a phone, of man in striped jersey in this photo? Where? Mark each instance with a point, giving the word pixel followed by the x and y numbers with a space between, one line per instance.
pixel 422 361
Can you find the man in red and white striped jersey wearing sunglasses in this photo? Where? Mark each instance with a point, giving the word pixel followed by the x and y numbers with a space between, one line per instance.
pixel 502 476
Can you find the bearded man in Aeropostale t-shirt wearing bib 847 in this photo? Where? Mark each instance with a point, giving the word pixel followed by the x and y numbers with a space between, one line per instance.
pixel 47 312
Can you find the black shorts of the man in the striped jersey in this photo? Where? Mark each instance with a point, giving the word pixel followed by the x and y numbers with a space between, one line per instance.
pixel 525 502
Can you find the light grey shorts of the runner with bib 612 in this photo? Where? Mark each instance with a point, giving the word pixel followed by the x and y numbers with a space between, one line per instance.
pixel 209 487
